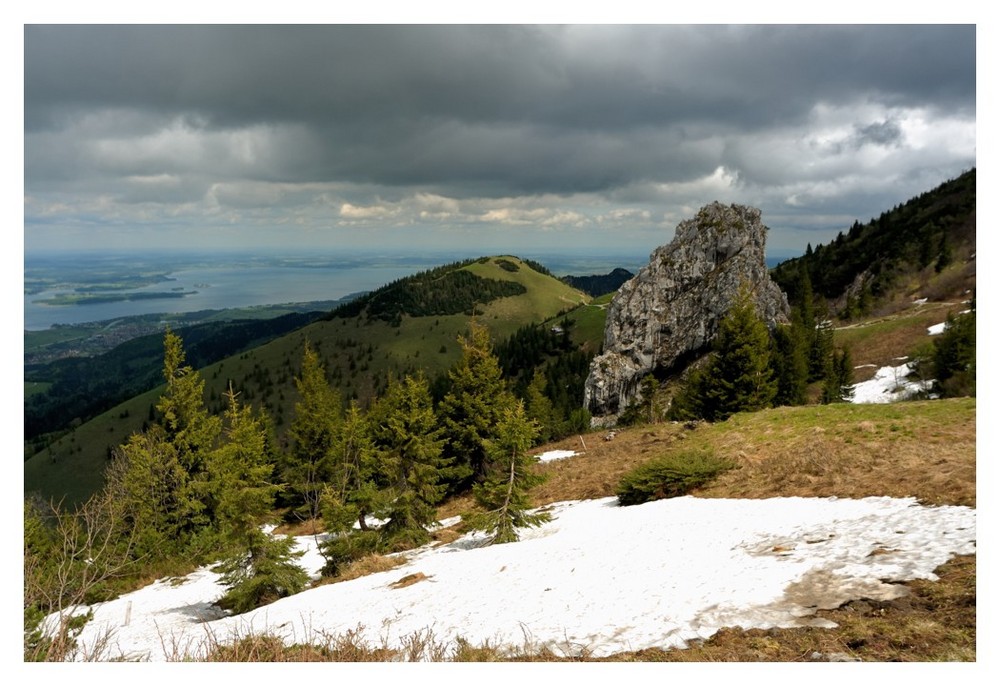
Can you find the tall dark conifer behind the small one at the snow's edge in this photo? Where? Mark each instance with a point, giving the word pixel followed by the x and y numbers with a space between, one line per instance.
pixel 473 407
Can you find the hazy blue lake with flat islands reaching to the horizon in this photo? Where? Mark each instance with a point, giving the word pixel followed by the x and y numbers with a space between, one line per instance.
pixel 221 281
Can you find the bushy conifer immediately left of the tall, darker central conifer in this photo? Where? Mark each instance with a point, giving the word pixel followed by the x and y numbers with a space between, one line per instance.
pixel 410 444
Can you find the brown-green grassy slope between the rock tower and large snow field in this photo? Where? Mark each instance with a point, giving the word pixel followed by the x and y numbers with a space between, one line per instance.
pixel 925 450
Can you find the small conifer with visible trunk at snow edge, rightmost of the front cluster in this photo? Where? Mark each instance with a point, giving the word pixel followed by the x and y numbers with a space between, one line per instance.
pixel 503 493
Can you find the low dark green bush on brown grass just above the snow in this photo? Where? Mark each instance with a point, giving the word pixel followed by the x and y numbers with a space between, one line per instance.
pixel 670 476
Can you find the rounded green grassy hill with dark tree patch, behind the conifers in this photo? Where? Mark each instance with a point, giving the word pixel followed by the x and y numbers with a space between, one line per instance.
pixel 412 324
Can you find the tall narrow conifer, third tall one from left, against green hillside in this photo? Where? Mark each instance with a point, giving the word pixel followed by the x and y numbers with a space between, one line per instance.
pixel 312 434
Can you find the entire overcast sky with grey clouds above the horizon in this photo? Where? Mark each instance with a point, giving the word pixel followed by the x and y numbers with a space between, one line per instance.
pixel 517 138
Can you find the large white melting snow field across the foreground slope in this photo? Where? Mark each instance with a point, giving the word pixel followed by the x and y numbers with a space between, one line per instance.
pixel 598 578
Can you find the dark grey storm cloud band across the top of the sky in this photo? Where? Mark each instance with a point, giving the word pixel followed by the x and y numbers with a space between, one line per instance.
pixel 520 108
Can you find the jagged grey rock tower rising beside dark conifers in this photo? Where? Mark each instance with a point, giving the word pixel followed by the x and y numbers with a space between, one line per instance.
pixel 670 311
